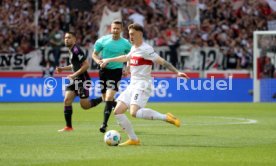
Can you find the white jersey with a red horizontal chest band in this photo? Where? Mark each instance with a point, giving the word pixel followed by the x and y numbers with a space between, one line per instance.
pixel 141 61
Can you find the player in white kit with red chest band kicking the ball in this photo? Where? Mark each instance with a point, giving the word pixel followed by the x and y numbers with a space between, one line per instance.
pixel 141 58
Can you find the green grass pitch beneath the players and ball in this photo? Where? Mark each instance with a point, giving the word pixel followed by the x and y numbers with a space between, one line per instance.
pixel 212 134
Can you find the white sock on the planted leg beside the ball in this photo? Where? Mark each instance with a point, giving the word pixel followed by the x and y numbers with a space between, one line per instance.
pixel 126 125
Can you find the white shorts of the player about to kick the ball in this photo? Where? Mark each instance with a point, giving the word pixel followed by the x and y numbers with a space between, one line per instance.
pixel 134 96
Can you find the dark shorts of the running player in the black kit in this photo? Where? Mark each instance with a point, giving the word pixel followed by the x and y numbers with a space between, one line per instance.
pixel 80 87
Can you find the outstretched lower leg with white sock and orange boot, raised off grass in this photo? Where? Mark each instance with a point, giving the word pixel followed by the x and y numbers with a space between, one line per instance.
pixel 147 113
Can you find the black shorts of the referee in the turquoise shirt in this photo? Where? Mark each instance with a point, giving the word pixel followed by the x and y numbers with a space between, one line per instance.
pixel 110 79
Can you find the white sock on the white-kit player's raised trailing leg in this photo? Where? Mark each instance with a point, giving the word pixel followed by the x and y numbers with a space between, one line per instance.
pixel 147 113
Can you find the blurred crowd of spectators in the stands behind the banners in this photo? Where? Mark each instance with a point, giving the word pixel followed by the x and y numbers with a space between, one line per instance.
pixel 222 24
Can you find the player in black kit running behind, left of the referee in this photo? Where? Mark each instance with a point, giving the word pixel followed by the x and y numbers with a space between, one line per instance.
pixel 79 80
